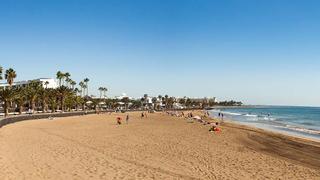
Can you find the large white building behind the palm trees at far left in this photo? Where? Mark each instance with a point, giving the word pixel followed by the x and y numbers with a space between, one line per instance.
pixel 46 83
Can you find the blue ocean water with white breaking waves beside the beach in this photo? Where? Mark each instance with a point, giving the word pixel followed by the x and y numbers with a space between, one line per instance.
pixel 298 121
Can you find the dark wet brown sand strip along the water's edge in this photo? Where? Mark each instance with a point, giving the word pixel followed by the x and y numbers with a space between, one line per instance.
pixel 298 149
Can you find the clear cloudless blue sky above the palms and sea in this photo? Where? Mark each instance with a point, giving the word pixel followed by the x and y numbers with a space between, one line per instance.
pixel 259 52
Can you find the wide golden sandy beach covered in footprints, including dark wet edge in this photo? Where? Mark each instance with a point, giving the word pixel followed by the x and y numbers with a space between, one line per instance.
pixel 156 147
